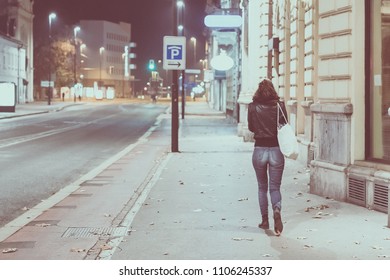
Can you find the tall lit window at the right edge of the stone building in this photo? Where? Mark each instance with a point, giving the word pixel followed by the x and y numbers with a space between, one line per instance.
pixel 378 123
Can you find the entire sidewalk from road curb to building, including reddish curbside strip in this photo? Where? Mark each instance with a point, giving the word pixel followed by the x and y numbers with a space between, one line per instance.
pixel 200 203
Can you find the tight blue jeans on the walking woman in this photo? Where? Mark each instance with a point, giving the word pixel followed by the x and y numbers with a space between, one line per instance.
pixel 268 163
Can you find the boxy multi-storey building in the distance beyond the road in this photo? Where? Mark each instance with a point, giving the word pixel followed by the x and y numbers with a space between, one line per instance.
pixel 105 55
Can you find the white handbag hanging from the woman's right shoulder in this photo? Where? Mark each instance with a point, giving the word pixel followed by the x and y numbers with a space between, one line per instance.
pixel 288 142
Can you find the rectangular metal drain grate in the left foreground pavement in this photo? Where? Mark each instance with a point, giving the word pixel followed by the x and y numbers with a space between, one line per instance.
pixel 89 232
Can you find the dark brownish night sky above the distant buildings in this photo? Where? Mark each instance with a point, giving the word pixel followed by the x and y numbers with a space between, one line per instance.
pixel 151 20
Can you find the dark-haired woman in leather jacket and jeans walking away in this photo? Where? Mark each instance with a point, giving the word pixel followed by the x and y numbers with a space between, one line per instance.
pixel 267 159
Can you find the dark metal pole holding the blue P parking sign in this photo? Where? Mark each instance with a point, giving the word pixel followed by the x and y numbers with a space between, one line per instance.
pixel 175 95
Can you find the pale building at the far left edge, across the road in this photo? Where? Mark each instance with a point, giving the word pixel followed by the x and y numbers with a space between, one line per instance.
pixel 16 24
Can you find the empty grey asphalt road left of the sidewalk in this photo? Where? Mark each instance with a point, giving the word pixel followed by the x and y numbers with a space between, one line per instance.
pixel 41 154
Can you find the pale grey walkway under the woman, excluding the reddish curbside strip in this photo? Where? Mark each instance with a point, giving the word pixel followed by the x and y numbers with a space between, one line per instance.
pixel 204 206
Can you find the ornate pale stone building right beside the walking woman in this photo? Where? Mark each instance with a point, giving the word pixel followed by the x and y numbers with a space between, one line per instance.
pixel 329 63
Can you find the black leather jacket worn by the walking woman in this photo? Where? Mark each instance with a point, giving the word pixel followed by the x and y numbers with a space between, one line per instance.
pixel 262 122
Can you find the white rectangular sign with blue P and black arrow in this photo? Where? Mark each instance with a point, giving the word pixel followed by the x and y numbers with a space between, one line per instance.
pixel 174 56
